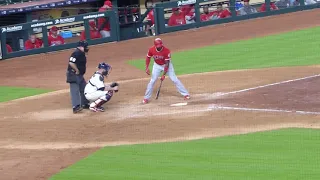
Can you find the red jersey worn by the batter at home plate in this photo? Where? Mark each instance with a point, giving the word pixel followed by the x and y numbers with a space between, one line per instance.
pixel 160 57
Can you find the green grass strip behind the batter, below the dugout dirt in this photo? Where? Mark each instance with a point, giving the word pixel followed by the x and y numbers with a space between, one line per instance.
pixel 295 48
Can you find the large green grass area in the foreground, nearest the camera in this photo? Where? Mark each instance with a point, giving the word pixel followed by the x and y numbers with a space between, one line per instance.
pixel 280 154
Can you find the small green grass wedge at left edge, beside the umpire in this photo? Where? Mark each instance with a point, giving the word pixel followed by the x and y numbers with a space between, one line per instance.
pixel 11 93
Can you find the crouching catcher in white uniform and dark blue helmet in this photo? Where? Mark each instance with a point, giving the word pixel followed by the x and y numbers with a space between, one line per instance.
pixel 96 91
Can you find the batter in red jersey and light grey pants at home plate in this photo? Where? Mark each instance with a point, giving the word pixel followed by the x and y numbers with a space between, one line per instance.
pixel 162 63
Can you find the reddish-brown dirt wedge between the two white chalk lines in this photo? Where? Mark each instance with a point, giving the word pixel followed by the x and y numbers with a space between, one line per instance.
pixel 300 95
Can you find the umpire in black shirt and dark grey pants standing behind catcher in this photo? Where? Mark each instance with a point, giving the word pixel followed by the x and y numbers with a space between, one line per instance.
pixel 76 70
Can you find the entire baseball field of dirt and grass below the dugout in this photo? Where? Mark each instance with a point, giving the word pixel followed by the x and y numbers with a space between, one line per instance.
pixel 253 114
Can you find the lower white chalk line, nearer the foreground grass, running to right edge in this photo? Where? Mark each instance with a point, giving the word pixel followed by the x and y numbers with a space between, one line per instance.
pixel 263 110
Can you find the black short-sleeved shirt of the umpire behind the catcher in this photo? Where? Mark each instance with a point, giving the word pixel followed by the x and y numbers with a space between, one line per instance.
pixel 79 58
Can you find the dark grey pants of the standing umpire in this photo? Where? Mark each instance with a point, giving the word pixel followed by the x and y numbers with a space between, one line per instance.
pixel 77 91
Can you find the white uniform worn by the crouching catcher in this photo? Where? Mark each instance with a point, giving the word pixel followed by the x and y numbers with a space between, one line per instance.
pixel 95 89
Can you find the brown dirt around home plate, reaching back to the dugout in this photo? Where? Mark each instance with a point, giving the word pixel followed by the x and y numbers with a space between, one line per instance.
pixel 39 136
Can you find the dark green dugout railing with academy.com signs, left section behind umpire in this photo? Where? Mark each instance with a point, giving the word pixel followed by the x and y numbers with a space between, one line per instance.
pixel 45 25
